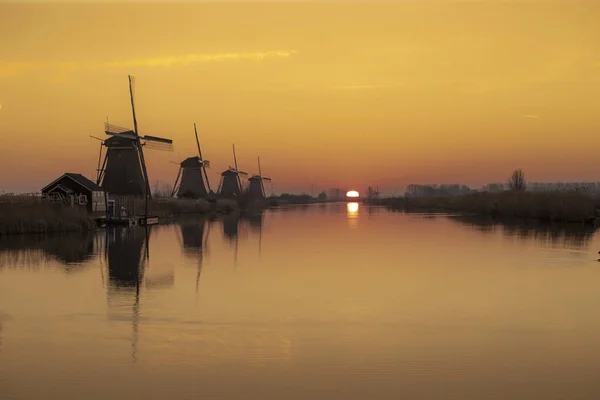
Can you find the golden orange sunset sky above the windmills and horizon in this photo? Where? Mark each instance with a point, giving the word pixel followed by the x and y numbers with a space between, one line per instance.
pixel 330 94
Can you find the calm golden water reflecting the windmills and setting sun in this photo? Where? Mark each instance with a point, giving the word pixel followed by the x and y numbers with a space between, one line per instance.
pixel 320 302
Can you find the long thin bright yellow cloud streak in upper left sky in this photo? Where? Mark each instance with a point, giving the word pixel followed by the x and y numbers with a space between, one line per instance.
pixel 17 68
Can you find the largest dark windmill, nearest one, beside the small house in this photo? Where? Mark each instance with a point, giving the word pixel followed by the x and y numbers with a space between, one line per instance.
pixel 123 171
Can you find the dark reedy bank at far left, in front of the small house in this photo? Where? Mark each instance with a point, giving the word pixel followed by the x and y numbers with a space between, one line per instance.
pixel 26 214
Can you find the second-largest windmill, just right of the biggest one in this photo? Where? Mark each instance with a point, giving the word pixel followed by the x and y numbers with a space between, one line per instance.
pixel 190 179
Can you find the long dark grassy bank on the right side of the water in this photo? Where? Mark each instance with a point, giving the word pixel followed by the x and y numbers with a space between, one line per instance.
pixel 542 206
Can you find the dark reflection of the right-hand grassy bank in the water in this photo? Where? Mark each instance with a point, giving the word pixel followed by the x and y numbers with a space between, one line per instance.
pixel 571 235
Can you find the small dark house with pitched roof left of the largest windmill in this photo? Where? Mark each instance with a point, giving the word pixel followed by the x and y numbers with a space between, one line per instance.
pixel 76 189
